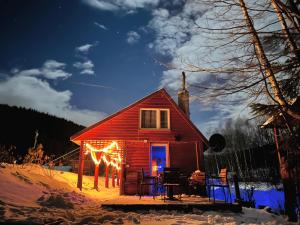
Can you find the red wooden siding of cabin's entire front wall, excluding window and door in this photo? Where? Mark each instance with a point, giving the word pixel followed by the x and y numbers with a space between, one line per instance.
pixel 124 126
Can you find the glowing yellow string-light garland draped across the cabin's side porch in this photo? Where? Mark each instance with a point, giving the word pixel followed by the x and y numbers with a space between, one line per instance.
pixel 115 161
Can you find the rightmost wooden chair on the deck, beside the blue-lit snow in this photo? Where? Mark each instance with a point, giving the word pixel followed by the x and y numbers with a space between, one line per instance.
pixel 220 181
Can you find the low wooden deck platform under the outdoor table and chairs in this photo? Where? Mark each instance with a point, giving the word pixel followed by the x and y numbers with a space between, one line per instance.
pixel 186 204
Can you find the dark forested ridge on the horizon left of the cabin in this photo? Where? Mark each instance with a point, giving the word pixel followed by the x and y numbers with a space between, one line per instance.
pixel 18 126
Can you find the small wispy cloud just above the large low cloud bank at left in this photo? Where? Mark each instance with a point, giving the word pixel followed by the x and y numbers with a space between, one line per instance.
pixel 51 69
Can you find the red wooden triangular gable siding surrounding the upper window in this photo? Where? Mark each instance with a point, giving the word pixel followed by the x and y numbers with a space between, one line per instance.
pixel 125 125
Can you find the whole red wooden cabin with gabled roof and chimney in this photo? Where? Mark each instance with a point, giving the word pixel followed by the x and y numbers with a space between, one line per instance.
pixel 152 133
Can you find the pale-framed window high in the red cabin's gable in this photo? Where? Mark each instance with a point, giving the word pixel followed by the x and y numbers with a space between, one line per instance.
pixel 155 119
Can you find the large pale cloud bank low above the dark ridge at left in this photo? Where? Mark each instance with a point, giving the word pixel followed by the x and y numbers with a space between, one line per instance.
pixel 27 89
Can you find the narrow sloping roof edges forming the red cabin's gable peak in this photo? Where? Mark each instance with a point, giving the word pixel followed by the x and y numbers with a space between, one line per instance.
pixel 162 91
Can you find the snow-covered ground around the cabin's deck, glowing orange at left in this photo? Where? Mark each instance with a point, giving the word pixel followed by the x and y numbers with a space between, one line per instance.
pixel 35 195
